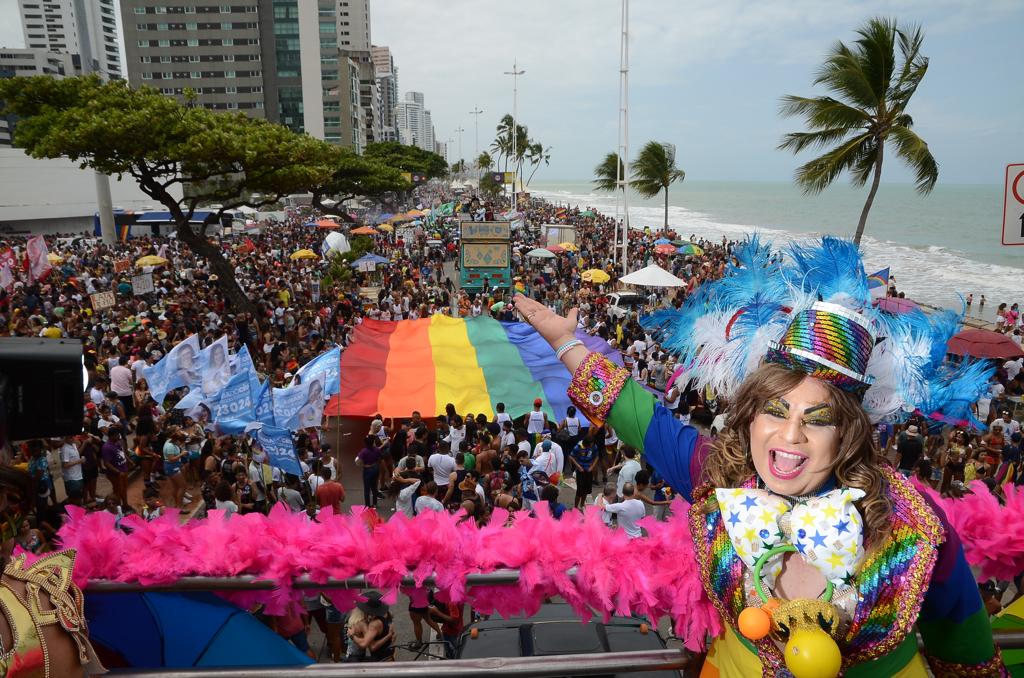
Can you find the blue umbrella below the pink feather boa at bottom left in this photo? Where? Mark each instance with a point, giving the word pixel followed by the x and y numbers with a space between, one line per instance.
pixel 154 630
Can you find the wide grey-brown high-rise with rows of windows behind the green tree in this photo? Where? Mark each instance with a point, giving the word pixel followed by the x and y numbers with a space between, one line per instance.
pixel 212 50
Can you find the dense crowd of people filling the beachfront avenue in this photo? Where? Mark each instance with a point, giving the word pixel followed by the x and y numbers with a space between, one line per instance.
pixel 155 456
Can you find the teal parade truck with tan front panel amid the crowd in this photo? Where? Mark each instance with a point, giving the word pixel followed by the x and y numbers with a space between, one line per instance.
pixel 485 256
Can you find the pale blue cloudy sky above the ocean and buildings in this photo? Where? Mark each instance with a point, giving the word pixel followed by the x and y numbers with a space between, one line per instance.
pixel 706 75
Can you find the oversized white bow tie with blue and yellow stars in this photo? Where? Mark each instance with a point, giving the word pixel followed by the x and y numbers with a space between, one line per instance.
pixel 828 531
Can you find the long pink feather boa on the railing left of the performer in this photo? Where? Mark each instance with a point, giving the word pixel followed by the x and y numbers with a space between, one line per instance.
pixel 655 577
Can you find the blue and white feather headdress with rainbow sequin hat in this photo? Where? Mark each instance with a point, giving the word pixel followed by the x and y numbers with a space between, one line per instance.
pixel 728 328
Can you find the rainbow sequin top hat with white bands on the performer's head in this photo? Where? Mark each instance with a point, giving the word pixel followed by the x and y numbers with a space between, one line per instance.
pixel 828 342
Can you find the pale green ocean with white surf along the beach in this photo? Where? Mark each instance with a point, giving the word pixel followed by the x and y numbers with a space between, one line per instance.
pixel 940 247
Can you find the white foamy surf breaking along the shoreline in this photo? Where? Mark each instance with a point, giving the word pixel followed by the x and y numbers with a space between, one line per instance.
pixel 934 274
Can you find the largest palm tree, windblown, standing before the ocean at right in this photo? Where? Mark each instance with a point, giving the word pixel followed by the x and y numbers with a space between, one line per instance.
pixel 873 91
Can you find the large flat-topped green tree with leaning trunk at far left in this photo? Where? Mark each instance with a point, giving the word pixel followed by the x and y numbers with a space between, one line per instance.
pixel 221 158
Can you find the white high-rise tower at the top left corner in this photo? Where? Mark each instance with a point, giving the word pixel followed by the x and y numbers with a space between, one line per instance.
pixel 86 29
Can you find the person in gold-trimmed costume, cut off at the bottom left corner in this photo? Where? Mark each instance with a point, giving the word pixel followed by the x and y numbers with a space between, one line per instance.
pixel 42 627
